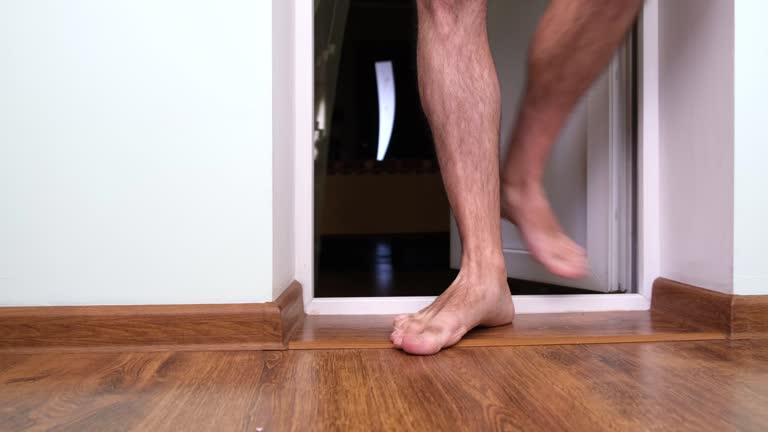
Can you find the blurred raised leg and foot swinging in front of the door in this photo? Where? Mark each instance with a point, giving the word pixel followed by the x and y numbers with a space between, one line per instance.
pixel 573 43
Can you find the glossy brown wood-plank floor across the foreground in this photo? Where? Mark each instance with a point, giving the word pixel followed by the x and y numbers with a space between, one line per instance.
pixel 676 386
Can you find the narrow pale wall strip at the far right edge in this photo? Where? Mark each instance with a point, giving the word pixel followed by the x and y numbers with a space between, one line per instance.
pixel 751 153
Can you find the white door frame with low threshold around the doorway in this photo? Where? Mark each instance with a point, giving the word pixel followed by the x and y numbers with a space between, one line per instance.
pixel 647 201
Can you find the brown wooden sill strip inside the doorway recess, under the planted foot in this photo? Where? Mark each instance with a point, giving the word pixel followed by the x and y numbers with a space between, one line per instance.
pixel 333 332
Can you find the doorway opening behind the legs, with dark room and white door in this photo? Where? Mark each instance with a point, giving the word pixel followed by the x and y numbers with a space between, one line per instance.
pixel 382 220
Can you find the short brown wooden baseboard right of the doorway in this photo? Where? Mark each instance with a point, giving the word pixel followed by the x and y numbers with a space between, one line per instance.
pixel 740 317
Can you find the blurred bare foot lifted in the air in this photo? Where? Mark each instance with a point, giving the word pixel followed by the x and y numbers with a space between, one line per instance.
pixel 528 208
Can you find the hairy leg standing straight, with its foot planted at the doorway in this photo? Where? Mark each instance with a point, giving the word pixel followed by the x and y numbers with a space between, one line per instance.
pixel 460 95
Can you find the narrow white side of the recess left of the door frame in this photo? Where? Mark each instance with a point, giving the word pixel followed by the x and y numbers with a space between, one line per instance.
pixel 283 145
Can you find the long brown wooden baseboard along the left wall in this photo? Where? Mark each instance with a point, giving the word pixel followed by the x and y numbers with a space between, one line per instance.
pixel 265 326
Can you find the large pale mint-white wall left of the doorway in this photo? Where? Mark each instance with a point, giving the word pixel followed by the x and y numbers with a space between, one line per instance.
pixel 135 152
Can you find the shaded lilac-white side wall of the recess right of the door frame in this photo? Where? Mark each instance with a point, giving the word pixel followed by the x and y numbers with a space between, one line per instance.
pixel 696 141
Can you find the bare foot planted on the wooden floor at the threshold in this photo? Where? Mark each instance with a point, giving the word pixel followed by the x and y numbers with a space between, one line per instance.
pixel 476 297
